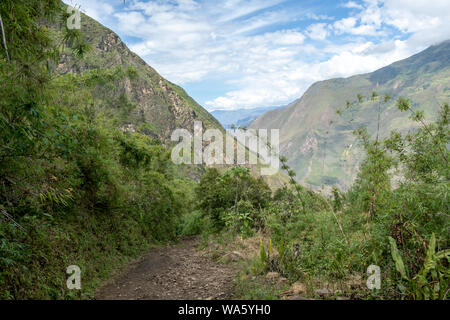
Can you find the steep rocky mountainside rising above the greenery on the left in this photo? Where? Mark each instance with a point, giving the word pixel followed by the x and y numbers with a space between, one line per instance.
pixel 156 103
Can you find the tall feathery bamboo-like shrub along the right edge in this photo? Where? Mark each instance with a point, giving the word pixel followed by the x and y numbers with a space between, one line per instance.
pixel 410 223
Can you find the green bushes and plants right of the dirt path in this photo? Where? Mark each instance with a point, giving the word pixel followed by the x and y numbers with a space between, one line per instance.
pixel 394 216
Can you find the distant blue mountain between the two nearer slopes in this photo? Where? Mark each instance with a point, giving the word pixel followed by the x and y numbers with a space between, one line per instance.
pixel 239 118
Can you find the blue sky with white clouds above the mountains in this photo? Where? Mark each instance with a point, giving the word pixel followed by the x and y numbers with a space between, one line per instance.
pixel 234 54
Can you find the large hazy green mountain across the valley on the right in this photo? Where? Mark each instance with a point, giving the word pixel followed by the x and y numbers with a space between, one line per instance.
pixel 320 144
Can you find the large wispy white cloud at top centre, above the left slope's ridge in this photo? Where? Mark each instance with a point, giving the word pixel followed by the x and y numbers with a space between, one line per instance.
pixel 187 45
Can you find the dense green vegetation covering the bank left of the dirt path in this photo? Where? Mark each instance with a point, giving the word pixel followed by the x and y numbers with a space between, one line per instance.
pixel 75 189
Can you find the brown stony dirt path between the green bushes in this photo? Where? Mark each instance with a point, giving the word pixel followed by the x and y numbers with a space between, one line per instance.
pixel 172 273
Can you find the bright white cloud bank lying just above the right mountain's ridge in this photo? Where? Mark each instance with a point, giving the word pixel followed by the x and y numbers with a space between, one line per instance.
pixel 287 84
